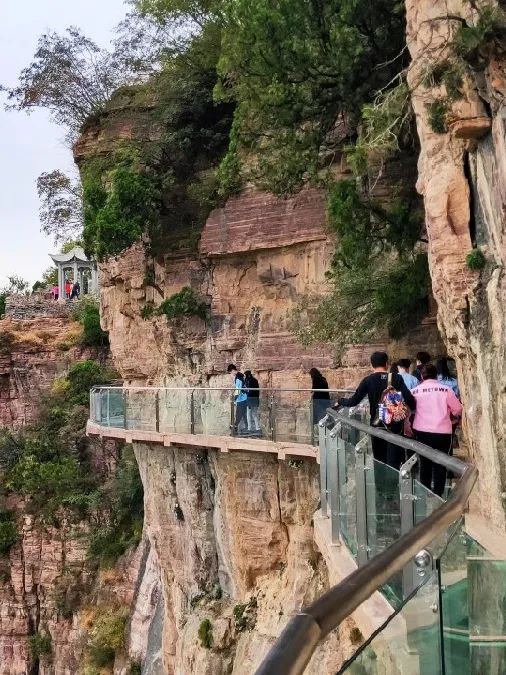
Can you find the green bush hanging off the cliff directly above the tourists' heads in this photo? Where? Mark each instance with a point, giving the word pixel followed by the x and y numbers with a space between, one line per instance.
pixel 379 278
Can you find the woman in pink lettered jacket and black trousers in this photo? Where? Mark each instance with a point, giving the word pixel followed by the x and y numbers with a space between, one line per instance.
pixel 436 403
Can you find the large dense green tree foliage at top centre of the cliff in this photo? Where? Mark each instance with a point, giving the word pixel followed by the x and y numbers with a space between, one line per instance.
pixel 295 67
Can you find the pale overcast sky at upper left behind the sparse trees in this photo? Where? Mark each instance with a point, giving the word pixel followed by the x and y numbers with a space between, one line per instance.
pixel 32 144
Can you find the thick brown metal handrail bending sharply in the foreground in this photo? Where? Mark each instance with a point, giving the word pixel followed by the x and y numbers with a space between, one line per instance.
pixel 293 649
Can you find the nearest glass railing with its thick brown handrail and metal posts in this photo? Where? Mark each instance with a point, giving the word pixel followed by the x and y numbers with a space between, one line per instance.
pixel 406 544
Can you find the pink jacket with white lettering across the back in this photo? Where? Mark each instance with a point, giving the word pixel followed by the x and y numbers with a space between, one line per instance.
pixel 435 402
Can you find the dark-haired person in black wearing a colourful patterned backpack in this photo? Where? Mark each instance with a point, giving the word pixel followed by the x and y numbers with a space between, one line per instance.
pixel 373 387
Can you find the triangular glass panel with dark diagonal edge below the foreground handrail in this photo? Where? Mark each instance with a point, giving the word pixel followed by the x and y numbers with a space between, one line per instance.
pixel 410 643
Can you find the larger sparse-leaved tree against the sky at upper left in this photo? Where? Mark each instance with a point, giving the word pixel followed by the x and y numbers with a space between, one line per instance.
pixel 70 76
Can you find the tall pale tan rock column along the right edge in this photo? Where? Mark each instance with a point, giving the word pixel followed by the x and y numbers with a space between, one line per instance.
pixel 462 176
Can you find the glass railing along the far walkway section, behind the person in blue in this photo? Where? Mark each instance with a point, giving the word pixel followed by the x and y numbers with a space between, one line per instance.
pixel 284 415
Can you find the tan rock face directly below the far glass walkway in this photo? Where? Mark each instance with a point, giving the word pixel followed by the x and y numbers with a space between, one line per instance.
pixel 234 539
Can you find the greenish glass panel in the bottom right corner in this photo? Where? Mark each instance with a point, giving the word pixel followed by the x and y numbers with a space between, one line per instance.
pixel 487 615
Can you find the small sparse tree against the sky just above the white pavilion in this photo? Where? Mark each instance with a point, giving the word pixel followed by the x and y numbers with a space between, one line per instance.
pixel 60 213
